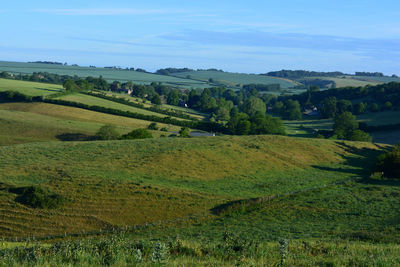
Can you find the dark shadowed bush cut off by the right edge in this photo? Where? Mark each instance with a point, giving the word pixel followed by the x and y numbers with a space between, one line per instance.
pixel 389 163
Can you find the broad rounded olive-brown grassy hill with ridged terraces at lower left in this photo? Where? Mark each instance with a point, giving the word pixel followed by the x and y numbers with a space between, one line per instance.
pixel 117 183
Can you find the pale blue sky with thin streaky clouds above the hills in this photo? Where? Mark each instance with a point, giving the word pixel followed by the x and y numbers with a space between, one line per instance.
pixel 241 36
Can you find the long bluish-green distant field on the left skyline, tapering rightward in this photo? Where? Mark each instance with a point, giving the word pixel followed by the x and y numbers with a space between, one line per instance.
pixel 108 74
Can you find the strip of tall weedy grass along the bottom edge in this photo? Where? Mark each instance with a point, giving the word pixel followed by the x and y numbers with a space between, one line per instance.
pixel 231 251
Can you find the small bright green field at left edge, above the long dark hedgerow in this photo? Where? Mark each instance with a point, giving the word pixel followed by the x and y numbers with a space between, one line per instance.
pixel 30 88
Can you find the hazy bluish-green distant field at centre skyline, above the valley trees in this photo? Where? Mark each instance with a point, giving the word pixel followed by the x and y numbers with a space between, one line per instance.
pixel 234 79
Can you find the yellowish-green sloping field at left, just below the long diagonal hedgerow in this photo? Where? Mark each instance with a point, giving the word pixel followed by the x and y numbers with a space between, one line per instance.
pixel 34 122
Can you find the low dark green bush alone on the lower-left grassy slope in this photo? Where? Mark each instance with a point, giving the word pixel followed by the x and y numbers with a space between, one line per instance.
pixel 37 197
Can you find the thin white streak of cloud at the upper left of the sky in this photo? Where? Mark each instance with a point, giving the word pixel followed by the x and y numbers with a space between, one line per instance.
pixel 106 11
